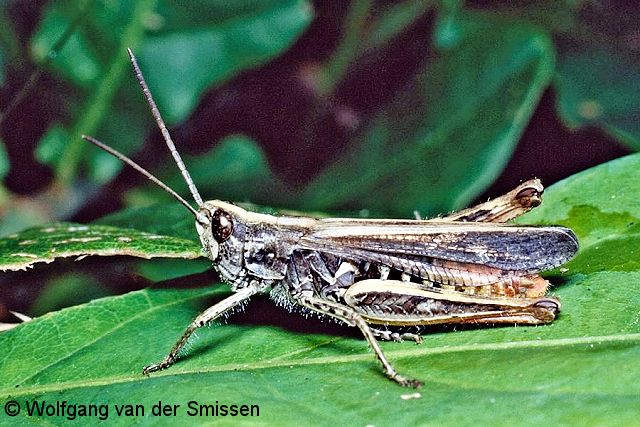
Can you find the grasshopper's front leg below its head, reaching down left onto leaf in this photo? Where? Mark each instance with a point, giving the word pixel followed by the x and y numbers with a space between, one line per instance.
pixel 205 317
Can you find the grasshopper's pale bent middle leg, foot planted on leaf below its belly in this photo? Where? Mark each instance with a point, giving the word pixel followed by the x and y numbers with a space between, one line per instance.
pixel 351 318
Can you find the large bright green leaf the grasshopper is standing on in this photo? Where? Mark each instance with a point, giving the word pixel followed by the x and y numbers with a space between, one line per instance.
pixel 583 366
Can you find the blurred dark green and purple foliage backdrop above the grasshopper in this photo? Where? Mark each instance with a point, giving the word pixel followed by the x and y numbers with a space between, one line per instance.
pixel 390 106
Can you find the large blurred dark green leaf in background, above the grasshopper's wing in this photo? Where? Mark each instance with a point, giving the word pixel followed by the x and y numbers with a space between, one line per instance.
pixel 474 99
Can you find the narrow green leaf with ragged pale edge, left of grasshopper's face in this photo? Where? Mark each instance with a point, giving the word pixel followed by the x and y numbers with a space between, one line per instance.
pixel 44 244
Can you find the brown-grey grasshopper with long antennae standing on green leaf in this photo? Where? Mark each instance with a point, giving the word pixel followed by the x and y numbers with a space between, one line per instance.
pixel 464 268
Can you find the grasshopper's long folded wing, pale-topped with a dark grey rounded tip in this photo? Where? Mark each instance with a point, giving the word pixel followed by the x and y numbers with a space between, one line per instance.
pixel 402 243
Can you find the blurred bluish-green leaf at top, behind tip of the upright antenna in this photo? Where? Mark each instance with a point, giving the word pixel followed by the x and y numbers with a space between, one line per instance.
pixel 230 37
